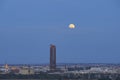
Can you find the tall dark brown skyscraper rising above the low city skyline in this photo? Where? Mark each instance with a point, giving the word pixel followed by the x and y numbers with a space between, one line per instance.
pixel 52 57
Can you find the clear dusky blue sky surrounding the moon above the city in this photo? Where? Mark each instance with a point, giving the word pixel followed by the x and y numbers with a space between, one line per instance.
pixel 28 27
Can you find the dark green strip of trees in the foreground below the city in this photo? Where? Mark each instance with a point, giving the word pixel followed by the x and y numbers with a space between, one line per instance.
pixel 44 76
